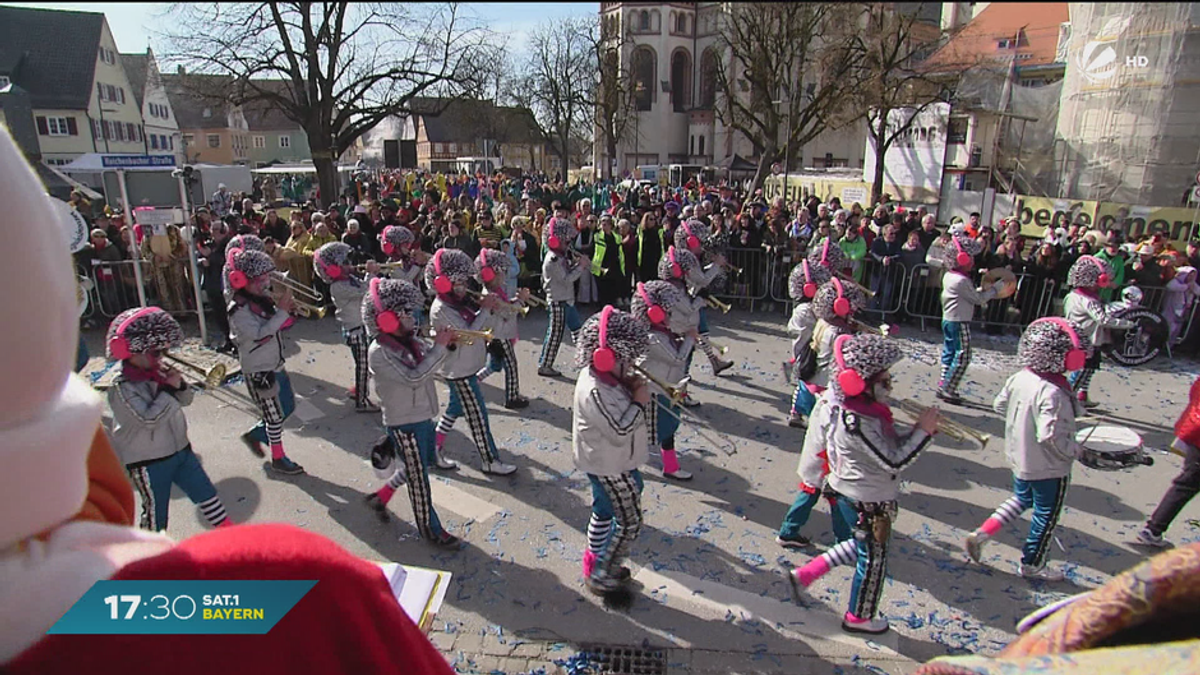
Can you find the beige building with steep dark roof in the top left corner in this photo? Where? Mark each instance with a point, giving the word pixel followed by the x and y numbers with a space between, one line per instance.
pixel 82 100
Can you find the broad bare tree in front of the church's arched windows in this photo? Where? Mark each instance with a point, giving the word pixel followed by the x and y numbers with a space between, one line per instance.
pixel 785 65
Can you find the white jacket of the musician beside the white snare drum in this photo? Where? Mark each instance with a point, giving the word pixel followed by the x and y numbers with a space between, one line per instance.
pixel 1040 427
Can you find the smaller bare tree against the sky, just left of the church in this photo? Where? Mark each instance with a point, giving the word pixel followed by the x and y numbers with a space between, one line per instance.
pixel 557 81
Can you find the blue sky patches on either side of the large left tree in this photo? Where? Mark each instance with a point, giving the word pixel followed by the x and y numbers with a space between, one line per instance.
pixel 130 21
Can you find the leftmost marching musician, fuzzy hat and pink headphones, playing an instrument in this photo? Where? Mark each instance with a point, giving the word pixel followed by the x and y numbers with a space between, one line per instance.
pixel 149 426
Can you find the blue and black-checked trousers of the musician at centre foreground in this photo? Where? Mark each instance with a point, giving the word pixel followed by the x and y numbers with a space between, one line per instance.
pixel 616 519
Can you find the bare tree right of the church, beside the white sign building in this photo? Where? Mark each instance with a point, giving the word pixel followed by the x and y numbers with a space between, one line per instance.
pixel 893 88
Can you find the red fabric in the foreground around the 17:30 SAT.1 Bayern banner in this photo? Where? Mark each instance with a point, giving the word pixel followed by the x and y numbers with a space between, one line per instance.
pixel 349 624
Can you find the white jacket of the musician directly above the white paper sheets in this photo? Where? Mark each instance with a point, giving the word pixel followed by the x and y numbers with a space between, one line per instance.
pixel 405 387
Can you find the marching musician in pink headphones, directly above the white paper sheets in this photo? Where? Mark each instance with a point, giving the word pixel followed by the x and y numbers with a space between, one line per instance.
pixel 404 367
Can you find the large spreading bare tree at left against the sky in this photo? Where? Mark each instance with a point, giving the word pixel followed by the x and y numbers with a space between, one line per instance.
pixel 346 67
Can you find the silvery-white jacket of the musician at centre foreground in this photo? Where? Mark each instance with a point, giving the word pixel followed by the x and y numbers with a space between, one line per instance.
pixel 609 432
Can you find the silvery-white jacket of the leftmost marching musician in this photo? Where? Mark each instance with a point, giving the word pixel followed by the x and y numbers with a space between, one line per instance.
pixel 148 420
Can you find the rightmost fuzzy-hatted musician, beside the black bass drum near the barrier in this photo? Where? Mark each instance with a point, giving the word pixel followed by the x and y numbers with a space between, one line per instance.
pixel 1084 308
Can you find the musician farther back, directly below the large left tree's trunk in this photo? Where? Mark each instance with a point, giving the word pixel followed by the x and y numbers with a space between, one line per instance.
pixel 333 265
